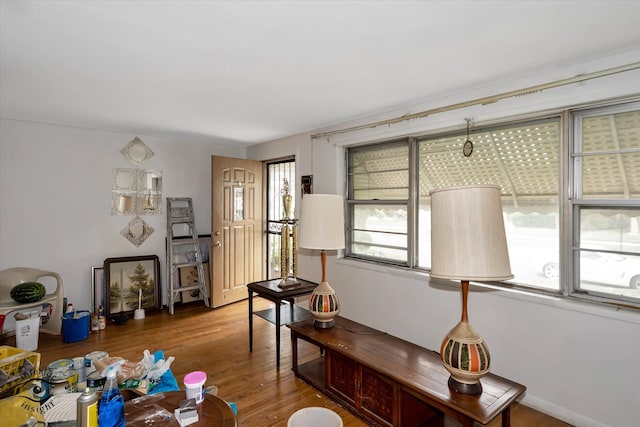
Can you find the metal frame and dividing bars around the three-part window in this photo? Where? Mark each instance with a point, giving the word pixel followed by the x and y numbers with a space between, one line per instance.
pixel 568 206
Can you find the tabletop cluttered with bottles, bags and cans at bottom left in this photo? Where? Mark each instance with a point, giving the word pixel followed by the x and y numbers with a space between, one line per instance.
pixel 81 390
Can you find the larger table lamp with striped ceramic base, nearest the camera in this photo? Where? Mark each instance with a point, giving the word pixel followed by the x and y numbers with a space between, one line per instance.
pixel 468 243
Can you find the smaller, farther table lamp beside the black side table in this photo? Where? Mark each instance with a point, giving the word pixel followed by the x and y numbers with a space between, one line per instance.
pixel 322 227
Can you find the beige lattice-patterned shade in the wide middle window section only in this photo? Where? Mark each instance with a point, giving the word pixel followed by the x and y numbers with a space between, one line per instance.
pixel 521 159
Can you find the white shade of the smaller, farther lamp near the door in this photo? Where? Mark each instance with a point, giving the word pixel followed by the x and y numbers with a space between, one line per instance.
pixel 321 222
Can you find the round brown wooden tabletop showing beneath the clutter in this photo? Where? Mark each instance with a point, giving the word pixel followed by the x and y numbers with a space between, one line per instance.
pixel 158 409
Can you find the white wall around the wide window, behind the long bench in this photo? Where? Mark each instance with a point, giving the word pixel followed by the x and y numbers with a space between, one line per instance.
pixel 579 362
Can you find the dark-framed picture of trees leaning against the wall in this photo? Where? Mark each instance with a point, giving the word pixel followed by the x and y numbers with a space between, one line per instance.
pixel 130 280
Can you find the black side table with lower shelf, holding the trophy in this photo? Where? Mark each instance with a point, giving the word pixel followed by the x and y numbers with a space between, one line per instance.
pixel 280 314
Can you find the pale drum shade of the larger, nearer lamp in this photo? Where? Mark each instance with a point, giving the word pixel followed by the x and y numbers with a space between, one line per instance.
pixel 468 240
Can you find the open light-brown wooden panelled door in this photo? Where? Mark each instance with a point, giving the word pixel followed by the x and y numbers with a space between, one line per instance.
pixel 236 228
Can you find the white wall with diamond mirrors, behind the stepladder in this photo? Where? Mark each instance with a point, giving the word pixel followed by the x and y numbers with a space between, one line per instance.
pixel 55 197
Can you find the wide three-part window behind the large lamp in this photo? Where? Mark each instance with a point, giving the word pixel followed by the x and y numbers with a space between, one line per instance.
pixel 571 207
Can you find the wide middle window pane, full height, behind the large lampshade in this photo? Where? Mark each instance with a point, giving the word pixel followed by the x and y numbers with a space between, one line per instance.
pixel 523 159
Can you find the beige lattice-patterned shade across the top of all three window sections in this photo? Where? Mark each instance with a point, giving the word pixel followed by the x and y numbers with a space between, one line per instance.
pixel 522 160
